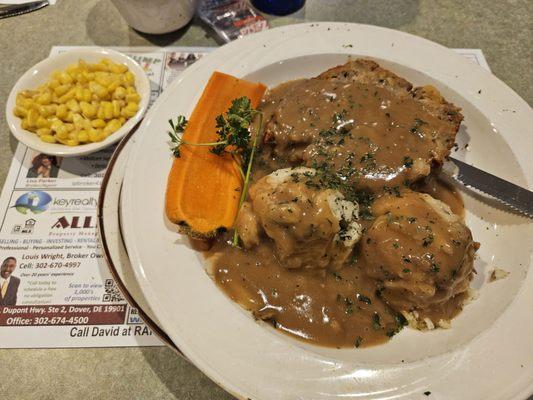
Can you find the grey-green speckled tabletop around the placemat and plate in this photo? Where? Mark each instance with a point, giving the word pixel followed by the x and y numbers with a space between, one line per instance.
pixel 502 29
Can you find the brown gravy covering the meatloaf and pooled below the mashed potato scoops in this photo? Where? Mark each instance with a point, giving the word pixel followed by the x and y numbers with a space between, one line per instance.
pixel 382 150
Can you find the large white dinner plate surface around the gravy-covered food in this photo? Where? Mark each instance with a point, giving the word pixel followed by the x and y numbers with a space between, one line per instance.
pixel 487 354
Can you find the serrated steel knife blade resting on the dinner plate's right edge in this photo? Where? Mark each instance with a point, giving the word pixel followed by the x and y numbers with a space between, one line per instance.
pixel 514 196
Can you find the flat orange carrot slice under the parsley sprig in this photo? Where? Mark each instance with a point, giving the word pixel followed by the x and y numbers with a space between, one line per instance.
pixel 203 188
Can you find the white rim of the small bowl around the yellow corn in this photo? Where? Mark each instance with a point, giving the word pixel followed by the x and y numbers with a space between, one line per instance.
pixel 41 72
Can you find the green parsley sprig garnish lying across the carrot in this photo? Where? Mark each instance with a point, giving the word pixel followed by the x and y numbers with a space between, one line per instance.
pixel 235 139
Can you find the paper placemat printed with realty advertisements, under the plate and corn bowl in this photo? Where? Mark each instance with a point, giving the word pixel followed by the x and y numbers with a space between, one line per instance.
pixel 55 287
